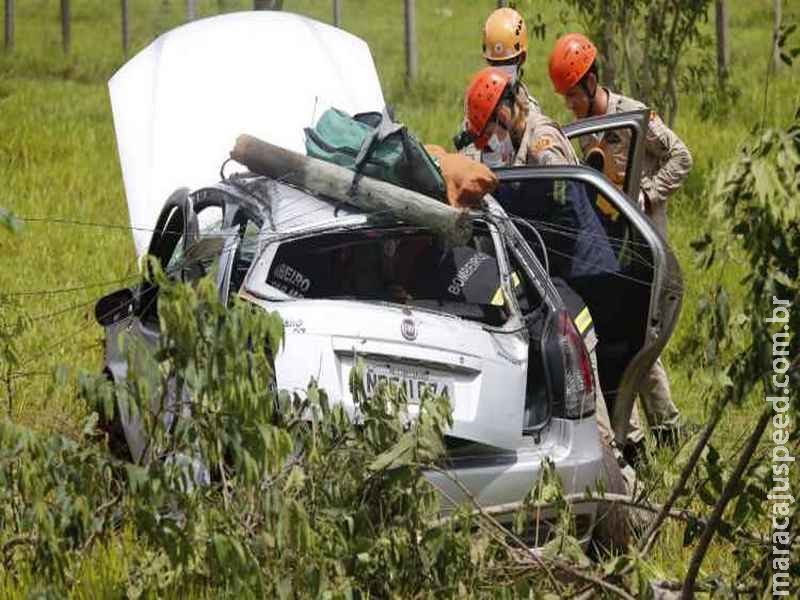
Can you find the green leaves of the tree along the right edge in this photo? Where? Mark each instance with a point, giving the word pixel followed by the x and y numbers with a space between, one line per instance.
pixel 756 220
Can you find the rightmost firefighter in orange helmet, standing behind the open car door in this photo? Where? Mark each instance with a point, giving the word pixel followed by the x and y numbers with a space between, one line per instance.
pixel 667 161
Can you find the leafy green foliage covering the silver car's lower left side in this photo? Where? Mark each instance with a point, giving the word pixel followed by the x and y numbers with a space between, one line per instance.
pixel 245 489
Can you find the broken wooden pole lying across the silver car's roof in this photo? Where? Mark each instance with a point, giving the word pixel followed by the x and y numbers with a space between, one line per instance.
pixel 369 194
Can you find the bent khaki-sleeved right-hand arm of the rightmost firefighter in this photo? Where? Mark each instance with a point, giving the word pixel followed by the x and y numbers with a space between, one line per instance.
pixel 674 160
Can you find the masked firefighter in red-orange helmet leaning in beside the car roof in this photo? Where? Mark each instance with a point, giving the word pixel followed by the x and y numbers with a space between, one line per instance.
pixel 505 132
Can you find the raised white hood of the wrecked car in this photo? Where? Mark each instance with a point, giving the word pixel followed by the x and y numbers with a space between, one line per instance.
pixel 179 104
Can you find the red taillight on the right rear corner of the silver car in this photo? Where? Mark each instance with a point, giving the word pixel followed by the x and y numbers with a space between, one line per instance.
pixel 570 374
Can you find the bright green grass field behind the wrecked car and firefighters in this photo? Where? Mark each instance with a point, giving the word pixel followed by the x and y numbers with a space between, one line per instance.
pixel 58 160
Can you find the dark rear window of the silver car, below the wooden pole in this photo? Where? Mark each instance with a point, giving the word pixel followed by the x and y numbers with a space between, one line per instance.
pixel 405 265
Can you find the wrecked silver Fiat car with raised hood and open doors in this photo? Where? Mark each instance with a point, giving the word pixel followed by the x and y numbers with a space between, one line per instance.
pixel 482 322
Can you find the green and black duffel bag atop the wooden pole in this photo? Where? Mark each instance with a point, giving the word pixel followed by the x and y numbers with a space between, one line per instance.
pixel 371 144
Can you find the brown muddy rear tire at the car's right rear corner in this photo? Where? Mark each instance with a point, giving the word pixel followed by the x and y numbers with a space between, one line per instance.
pixel 612 530
